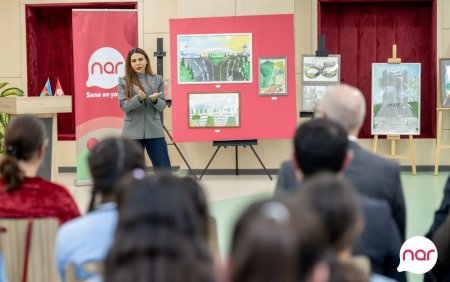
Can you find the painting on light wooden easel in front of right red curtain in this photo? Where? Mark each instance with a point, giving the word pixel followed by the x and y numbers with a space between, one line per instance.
pixel 396 99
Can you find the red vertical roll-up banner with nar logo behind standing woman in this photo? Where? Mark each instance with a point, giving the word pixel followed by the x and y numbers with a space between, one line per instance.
pixel 101 40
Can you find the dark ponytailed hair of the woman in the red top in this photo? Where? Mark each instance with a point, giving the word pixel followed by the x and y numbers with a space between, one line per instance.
pixel 24 137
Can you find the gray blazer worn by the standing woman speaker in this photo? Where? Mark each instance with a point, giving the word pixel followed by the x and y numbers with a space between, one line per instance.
pixel 142 120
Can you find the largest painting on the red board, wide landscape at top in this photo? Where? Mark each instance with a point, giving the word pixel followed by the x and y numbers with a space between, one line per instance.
pixel 214 58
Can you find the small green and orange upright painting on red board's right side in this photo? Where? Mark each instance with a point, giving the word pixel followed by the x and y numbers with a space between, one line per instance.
pixel 272 76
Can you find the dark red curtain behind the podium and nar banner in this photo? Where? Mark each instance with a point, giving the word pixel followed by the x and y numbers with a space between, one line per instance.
pixel 50 54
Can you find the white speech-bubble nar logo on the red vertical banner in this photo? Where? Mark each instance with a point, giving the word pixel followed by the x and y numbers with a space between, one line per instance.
pixel 106 65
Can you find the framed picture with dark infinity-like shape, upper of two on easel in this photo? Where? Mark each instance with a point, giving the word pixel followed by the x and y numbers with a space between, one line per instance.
pixel 321 70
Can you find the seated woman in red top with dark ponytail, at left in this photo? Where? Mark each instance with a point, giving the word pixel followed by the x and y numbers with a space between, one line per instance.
pixel 23 193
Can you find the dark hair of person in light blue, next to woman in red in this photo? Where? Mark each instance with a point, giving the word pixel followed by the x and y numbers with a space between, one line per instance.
pixel 109 160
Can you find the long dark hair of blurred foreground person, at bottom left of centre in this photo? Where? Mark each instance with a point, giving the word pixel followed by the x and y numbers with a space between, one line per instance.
pixel 158 237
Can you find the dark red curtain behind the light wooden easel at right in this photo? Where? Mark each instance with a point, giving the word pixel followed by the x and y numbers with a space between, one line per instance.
pixel 363 32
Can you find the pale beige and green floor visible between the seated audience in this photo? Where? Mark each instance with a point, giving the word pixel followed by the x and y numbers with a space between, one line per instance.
pixel 229 195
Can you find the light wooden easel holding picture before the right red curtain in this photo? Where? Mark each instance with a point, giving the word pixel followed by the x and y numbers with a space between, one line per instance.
pixel 394 138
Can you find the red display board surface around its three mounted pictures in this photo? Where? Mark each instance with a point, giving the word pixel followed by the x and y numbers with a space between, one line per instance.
pixel 261 117
